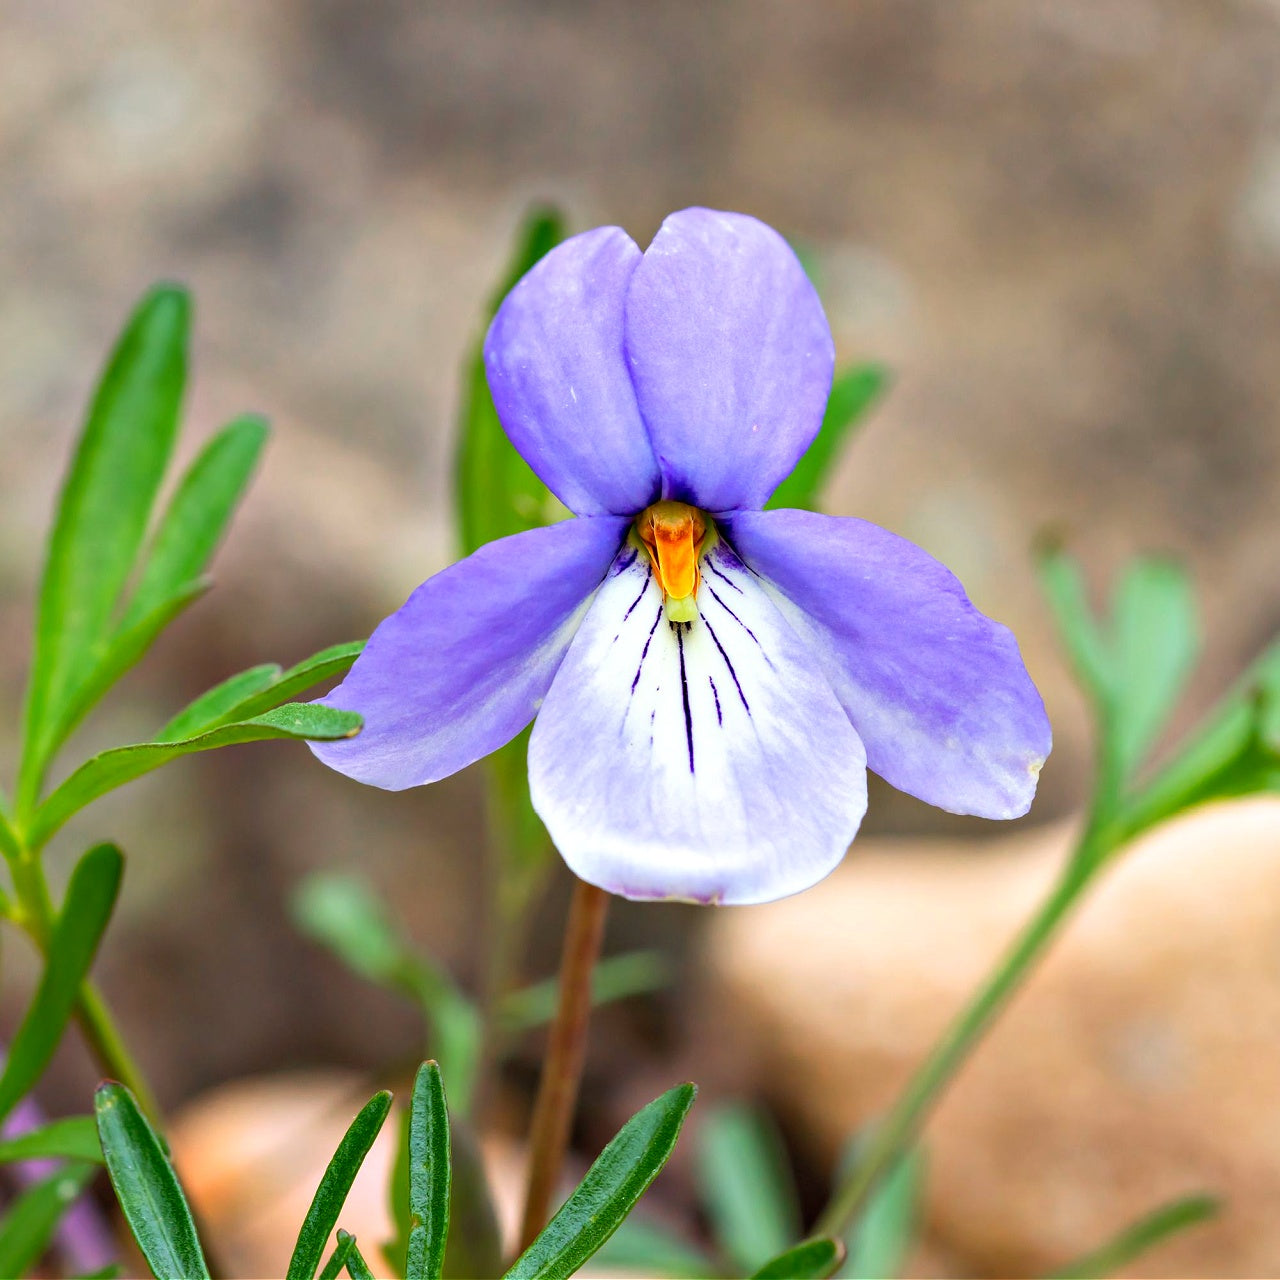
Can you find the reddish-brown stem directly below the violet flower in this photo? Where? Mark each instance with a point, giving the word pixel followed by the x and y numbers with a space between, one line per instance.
pixel 566 1052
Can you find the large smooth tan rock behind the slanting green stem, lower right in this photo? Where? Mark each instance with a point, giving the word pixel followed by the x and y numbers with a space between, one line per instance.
pixel 1137 1066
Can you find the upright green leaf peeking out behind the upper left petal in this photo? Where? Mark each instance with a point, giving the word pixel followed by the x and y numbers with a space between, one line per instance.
pixel 497 492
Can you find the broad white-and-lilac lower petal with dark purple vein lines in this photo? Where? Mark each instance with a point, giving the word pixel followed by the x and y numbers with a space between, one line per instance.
pixel 707 762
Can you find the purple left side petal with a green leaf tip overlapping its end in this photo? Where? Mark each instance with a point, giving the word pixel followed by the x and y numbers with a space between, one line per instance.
pixel 464 666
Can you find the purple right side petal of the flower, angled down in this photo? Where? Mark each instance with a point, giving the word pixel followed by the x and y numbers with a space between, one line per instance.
pixel 936 691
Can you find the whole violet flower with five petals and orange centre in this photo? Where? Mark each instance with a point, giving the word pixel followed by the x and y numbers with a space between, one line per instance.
pixel 711 682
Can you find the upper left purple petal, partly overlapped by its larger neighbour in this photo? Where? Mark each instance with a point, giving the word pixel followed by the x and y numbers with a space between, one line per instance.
pixel 560 381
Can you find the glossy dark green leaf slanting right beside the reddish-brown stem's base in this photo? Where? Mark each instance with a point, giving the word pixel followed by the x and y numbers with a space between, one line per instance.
pixel 610 1191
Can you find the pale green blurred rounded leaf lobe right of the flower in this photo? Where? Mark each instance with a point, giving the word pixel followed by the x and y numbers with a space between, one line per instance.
pixel 1155 646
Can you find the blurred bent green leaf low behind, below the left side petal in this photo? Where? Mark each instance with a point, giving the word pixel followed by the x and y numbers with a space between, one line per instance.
pixel 344 915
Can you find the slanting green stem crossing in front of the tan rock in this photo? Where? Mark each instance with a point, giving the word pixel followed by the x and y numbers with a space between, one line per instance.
pixel 902 1127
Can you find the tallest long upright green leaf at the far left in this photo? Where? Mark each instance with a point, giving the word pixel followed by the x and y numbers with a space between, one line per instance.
pixel 103 514
